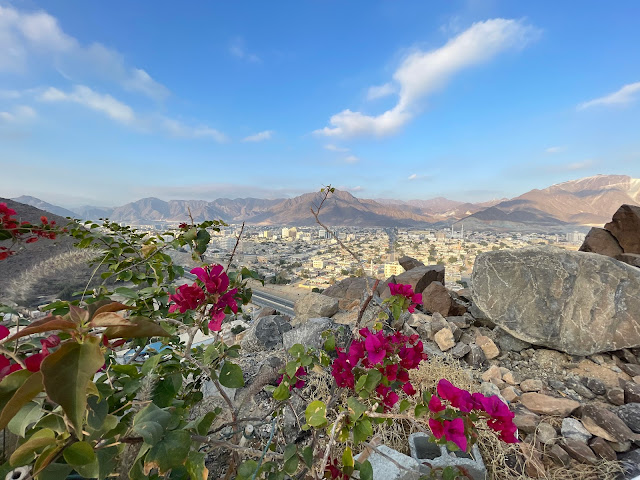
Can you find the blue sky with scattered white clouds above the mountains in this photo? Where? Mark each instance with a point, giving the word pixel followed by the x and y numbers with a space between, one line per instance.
pixel 103 103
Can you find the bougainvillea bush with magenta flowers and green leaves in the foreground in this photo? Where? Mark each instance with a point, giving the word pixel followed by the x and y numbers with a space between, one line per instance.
pixel 78 404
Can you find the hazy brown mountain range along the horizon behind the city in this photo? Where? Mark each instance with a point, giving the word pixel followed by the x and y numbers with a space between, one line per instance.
pixel 585 202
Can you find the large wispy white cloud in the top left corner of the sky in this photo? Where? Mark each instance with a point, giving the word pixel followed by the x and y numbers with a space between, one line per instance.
pixel 28 37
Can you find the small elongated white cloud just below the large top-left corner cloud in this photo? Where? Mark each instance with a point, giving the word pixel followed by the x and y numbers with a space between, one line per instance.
pixel 86 97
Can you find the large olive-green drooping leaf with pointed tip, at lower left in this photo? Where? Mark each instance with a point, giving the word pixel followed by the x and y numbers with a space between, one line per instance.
pixel 66 374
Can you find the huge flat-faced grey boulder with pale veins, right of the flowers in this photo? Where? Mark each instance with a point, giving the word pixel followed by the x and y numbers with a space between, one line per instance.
pixel 580 303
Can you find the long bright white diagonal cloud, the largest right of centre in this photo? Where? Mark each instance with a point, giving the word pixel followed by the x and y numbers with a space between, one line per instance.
pixel 422 73
